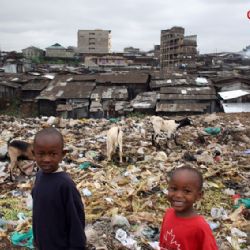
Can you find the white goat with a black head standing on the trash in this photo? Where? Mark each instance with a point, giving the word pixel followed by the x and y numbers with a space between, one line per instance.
pixel 167 126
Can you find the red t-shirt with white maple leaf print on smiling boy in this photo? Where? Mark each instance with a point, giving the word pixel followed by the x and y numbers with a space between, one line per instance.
pixel 178 233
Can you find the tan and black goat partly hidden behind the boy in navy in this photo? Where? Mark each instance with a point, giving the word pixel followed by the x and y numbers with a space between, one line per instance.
pixel 19 150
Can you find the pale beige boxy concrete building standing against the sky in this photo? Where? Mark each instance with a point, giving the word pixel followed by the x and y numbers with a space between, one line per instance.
pixel 94 41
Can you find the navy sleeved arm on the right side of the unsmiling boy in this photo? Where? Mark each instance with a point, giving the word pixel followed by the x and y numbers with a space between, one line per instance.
pixel 75 217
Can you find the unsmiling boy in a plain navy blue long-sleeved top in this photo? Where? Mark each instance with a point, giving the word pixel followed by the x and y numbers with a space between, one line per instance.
pixel 58 212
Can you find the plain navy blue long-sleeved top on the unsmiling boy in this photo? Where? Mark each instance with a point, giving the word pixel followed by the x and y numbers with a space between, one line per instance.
pixel 58 213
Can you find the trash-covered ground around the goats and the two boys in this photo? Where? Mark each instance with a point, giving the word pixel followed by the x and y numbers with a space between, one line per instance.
pixel 125 203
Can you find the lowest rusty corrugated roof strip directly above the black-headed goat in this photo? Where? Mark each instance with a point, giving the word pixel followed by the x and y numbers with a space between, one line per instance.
pixel 181 107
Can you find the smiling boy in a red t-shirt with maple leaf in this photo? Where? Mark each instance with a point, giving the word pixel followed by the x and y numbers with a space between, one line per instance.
pixel 182 228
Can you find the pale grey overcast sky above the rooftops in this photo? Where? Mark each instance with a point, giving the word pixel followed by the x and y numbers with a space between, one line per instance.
pixel 220 25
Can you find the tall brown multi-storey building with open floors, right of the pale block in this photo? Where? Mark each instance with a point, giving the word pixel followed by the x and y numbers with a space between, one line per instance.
pixel 176 49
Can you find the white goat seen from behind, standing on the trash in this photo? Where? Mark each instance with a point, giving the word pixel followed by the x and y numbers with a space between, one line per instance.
pixel 114 139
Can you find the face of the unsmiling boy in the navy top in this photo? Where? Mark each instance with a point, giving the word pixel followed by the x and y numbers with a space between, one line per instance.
pixel 48 151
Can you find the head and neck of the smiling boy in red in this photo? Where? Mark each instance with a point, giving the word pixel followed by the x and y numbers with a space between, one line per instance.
pixel 183 192
